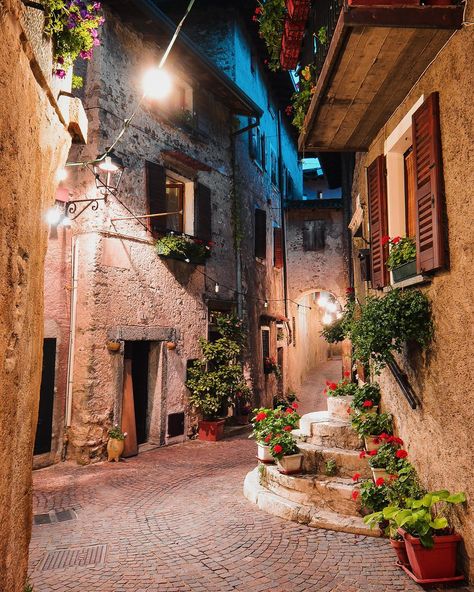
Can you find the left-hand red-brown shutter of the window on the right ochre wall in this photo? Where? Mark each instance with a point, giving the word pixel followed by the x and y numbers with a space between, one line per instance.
pixel 377 198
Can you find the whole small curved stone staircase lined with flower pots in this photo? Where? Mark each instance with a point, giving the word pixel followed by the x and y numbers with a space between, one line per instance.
pixel 312 497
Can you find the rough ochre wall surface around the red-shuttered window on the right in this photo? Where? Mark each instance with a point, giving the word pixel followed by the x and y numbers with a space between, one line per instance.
pixel 438 434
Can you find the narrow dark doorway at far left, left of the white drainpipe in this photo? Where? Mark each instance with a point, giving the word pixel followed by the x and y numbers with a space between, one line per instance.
pixel 44 428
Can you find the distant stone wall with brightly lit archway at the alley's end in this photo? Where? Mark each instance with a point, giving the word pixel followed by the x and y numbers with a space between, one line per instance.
pixel 309 272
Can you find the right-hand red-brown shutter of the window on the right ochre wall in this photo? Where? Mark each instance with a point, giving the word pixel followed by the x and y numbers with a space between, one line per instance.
pixel 428 186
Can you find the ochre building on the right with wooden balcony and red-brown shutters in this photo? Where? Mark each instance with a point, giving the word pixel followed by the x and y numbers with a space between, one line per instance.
pixel 408 114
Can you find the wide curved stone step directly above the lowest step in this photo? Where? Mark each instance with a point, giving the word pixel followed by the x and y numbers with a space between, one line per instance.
pixel 327 493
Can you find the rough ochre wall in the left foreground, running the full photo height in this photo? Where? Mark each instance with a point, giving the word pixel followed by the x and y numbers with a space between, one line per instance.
pixel 34 144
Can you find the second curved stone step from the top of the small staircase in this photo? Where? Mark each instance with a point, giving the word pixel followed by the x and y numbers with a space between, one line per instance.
pixel 347 461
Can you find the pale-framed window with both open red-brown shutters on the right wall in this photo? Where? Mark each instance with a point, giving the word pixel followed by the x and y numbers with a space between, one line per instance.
pixel 405 191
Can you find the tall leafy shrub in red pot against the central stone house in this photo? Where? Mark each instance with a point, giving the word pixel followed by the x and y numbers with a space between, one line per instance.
pixel 217 378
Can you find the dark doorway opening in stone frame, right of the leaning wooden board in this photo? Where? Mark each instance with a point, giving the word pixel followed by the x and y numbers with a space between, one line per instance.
pixel 138 352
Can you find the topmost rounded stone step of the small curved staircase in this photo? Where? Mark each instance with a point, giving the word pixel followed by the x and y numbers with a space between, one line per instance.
pixel 322 429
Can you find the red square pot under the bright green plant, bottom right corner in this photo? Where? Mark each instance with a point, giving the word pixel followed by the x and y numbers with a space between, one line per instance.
pixel 437 563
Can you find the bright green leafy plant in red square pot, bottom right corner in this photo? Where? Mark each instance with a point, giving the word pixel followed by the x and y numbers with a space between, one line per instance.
pixel 431 544
